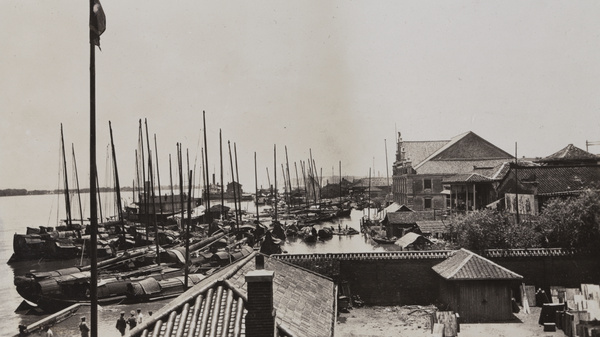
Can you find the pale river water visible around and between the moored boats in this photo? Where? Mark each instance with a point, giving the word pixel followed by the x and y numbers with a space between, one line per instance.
pixel 19 212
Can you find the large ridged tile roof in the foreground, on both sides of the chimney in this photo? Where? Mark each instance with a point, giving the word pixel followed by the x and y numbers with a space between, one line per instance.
pixel 304 303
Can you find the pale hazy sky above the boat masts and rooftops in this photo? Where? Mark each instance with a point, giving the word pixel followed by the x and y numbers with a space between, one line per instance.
pixel 335 78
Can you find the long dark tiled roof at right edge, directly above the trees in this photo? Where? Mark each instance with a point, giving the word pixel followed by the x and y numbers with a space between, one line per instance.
pixel 553 180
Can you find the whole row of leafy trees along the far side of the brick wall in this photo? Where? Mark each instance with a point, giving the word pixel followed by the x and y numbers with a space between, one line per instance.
pixel 572 223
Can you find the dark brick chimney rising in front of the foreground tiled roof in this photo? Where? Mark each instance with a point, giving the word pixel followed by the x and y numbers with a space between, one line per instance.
pixel 260 319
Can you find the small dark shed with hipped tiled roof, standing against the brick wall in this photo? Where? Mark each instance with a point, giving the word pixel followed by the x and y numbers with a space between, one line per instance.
pixel 476 288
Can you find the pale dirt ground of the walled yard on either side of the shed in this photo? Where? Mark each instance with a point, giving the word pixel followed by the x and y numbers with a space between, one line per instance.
pixel 414 321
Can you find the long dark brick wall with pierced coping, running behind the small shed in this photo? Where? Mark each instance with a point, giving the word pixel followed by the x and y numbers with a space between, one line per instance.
pixel 407 277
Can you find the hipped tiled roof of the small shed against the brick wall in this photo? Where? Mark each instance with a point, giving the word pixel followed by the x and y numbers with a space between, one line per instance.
pixel 466 265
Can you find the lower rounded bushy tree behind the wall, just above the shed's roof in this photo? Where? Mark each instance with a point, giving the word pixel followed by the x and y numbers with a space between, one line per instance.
pixel 487 229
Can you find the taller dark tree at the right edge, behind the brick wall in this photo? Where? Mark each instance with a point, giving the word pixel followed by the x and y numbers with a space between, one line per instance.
pixel 572 222
